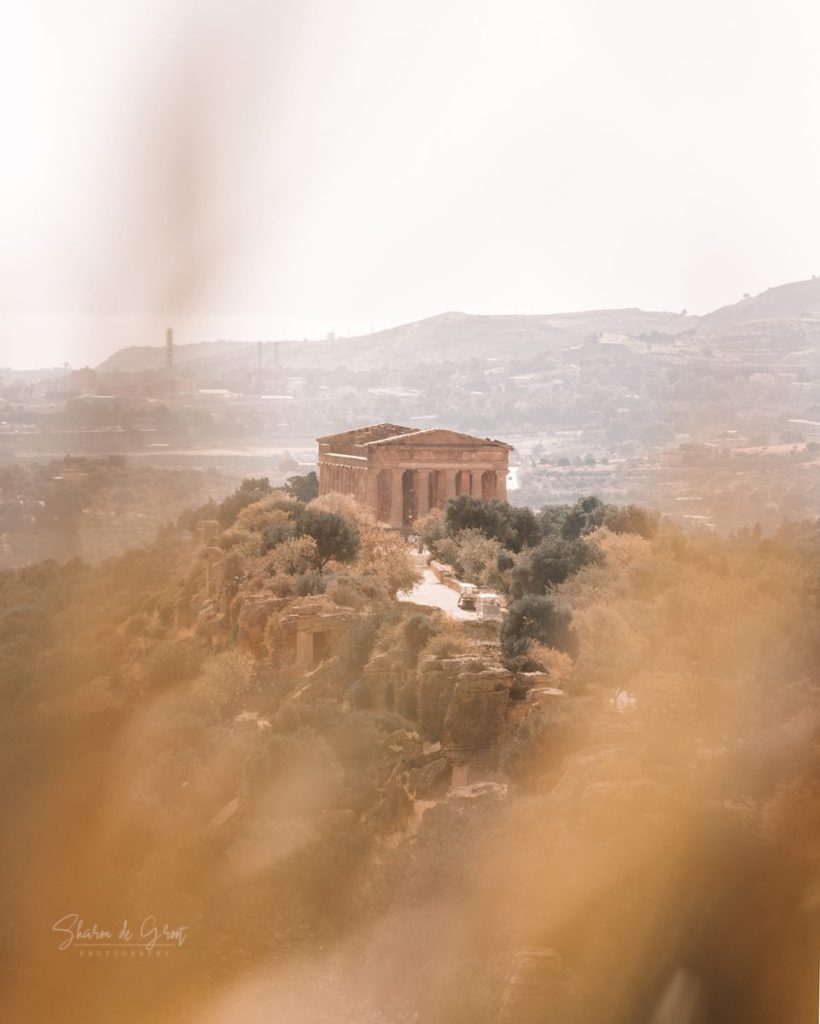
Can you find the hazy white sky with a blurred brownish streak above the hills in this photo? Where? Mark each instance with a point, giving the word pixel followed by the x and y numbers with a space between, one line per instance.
pixel 264 169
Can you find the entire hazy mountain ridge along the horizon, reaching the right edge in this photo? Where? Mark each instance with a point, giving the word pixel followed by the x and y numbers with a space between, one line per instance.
pixel 460 336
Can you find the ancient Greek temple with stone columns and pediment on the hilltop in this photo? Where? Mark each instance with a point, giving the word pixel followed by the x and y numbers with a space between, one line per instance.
pixel 401 474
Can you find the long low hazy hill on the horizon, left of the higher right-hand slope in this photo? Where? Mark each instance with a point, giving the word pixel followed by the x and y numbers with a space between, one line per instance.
pixel 448 336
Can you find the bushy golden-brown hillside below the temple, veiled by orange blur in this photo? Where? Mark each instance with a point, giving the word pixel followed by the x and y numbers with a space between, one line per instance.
pixel 655 806
